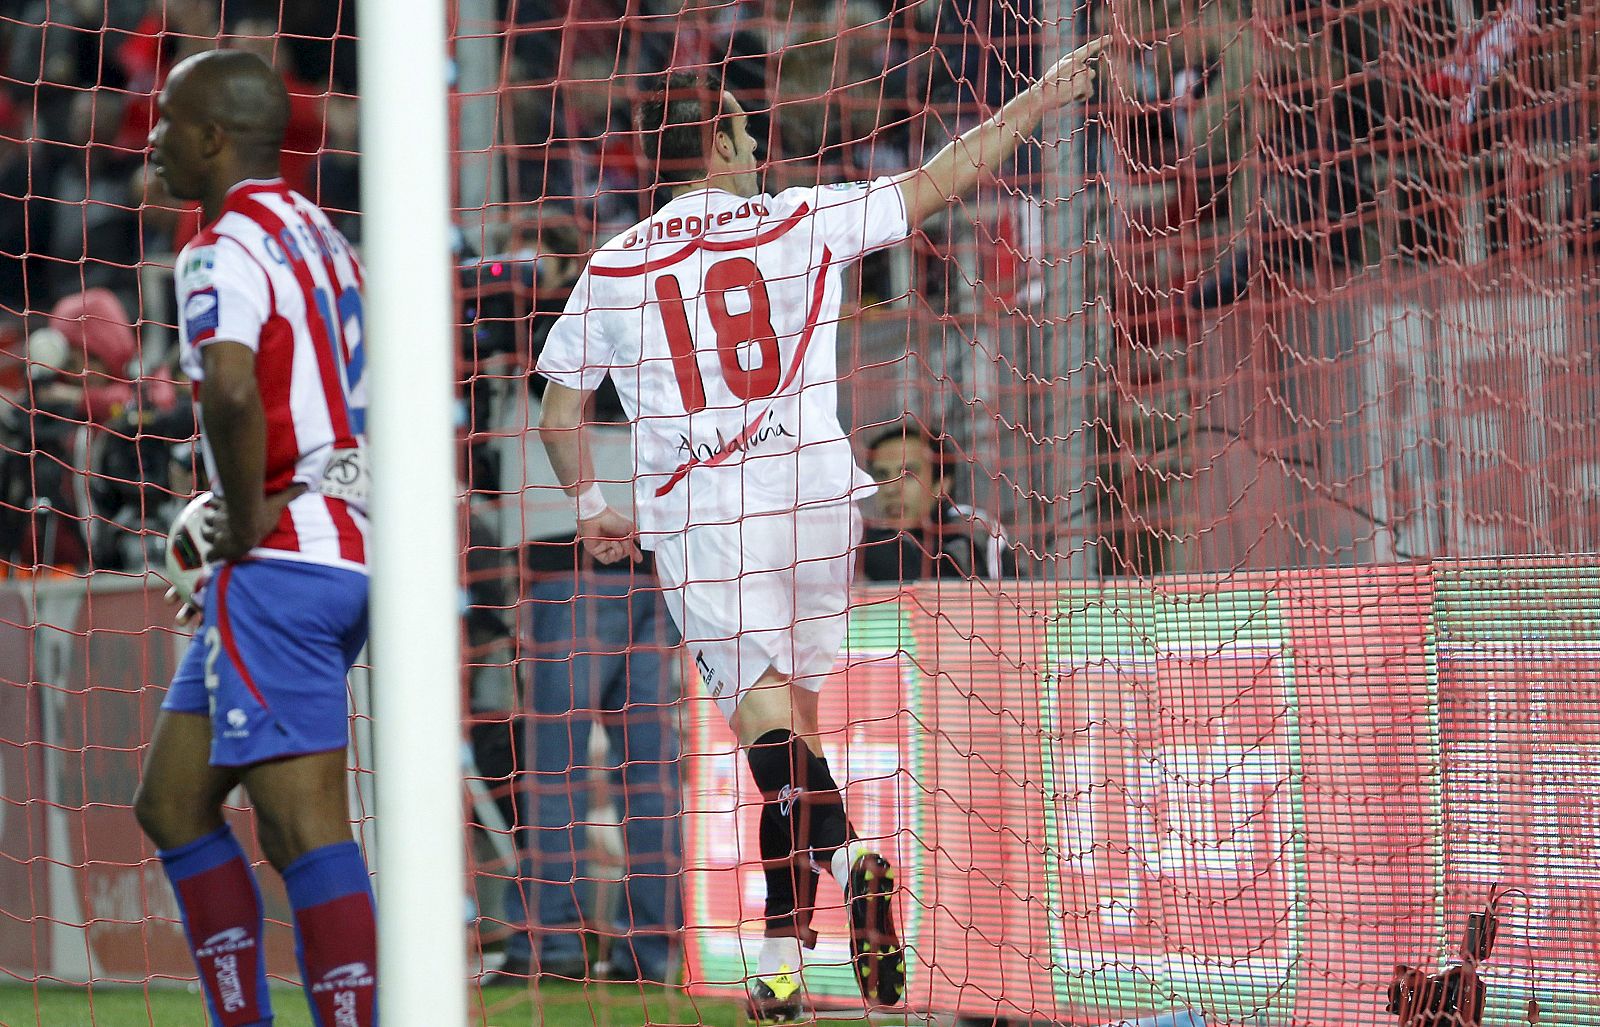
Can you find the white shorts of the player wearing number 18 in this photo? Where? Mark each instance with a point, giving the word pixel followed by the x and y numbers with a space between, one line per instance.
pixel 769 593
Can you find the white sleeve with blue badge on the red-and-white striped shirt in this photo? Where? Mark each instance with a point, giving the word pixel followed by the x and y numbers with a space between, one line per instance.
pixel 223 297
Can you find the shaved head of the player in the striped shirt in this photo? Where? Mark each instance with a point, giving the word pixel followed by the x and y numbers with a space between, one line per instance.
pixel 223 116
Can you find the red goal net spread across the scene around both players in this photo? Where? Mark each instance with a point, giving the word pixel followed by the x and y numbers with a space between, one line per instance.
pixel 1225 629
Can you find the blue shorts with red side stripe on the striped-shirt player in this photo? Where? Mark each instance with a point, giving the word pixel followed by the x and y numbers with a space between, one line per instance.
pixel 270 663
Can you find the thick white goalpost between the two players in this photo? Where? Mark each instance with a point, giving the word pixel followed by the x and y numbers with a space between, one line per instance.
pixel 415 649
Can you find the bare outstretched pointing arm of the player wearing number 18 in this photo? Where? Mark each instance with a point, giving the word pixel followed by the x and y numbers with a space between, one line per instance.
pixel 956 169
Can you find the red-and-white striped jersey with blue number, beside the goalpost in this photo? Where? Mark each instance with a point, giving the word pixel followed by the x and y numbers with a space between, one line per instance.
pixel 273 274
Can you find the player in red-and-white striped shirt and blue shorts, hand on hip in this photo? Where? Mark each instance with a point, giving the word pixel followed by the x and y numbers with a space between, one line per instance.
pixel 270 314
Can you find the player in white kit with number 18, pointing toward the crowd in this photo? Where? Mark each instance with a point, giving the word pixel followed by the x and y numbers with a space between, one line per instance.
pixel 716 319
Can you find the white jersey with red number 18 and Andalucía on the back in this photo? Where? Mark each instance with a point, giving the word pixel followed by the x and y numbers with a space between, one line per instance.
pixel 718 322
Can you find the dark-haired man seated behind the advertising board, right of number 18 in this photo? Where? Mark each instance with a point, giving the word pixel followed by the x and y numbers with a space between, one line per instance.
pixel 921 532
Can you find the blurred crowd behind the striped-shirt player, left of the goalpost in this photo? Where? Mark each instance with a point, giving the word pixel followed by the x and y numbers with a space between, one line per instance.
pixel 86 361
